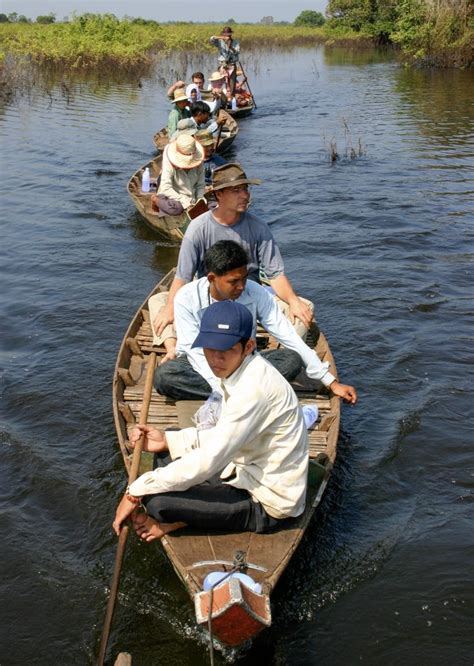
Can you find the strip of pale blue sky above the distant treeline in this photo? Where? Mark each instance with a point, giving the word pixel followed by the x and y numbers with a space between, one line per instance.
pixel 181 10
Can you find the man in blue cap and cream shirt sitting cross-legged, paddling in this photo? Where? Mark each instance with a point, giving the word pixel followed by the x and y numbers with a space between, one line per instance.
pixel 246 473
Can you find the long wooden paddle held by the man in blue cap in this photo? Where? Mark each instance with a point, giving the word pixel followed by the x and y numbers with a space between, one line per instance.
pixel 132 475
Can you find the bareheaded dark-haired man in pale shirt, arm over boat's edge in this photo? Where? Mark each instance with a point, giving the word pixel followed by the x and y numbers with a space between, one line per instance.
pixel 189 377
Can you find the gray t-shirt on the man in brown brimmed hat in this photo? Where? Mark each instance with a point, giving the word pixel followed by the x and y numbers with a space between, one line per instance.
pixel 252 234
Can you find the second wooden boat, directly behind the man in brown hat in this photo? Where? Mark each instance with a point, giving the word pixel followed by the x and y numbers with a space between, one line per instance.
pixel 168 226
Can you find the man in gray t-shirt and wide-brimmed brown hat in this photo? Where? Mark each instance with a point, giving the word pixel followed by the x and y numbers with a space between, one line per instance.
pixel 231 221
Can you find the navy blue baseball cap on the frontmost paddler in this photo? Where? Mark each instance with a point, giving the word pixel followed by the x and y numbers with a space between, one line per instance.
pixel 223 324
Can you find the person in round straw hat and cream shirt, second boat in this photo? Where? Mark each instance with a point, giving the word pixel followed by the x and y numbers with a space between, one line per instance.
pixel 182 176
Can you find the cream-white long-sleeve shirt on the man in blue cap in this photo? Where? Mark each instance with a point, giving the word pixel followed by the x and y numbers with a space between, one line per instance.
pixel 260 442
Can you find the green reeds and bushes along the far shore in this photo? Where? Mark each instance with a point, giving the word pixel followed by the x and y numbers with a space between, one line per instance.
pixel 95 42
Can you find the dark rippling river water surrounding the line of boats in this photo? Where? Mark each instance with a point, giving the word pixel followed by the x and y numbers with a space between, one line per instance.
pixel 382 243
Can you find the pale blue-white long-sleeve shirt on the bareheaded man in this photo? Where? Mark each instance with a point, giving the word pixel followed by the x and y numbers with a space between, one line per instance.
pixel 190 303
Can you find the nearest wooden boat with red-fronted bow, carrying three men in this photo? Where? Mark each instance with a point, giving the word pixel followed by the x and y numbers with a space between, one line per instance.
pixel 233 612
